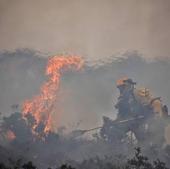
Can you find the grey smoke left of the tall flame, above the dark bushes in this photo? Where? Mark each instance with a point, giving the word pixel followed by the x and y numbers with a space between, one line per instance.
pixel 22 73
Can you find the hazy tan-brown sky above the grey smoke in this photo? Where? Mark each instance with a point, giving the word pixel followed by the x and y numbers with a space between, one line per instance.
pixel 91 28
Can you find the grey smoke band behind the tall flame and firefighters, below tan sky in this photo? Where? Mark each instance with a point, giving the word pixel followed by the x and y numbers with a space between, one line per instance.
pixel 84 96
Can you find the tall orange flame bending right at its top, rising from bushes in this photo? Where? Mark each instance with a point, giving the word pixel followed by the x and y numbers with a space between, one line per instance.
pixel 43 105
